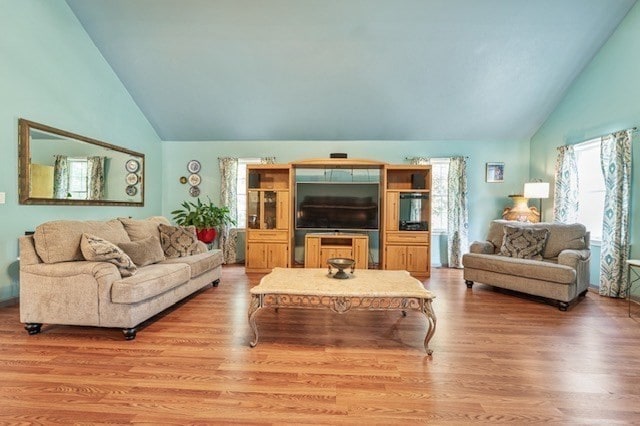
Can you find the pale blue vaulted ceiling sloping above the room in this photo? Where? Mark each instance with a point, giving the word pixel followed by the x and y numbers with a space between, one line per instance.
pixel 348 69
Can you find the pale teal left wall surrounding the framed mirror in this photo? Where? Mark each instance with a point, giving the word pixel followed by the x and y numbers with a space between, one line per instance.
pixel 52 73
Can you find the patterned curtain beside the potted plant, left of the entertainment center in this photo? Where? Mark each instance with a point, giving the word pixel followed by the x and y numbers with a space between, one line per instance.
pixel 228 192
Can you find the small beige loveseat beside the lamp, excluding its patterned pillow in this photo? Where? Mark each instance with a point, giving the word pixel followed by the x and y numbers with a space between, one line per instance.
pixel 561 273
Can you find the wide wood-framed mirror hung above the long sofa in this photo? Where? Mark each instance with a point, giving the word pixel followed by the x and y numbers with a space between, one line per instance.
pixel 60 167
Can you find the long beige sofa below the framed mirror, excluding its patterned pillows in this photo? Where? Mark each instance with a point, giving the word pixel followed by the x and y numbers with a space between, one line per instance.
pixel 58 286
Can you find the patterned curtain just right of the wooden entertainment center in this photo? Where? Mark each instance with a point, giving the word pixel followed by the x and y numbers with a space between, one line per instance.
pixel 458 220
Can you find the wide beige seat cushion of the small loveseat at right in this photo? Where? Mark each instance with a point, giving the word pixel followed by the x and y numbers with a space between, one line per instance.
pixel 527 268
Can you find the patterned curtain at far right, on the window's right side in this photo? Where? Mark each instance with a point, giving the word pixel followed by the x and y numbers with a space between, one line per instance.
pixel 615 157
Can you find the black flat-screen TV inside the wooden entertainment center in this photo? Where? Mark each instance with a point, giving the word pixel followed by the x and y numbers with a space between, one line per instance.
pixel 343 206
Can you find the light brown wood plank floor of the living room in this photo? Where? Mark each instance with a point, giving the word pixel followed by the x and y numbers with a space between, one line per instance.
pixel 498 358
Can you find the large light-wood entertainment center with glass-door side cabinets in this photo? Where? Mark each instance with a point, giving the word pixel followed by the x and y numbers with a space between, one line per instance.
pixel 395 220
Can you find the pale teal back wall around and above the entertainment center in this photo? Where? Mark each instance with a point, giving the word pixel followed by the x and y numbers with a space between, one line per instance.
pixel 486 200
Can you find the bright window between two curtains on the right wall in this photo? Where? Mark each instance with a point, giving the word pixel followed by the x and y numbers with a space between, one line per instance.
pixel 590 187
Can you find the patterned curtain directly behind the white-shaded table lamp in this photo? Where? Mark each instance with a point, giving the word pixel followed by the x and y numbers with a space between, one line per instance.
pixel 565 205
